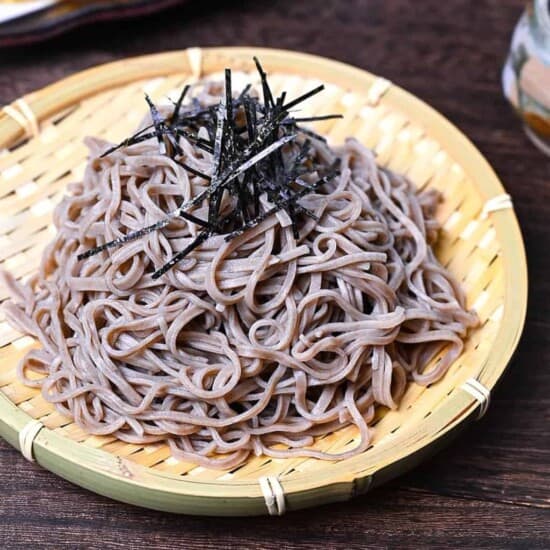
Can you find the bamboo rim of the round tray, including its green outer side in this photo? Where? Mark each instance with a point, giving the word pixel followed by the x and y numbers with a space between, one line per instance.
pixel 108 475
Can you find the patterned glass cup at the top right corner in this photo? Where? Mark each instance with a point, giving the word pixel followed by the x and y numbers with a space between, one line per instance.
pixel 526 73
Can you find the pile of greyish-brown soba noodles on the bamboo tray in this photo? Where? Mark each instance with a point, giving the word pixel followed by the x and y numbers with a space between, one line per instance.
pixel 253 346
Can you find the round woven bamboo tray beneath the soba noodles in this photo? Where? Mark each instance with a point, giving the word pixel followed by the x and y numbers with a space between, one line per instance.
pixel 42 150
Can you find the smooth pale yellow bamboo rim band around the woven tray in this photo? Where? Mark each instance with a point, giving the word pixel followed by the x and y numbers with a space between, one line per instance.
pixel 51 449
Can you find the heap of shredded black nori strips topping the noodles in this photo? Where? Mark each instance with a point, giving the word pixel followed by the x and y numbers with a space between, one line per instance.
pixel 246 138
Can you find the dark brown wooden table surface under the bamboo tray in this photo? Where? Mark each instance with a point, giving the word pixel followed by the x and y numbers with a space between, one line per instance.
pixel 491 488
